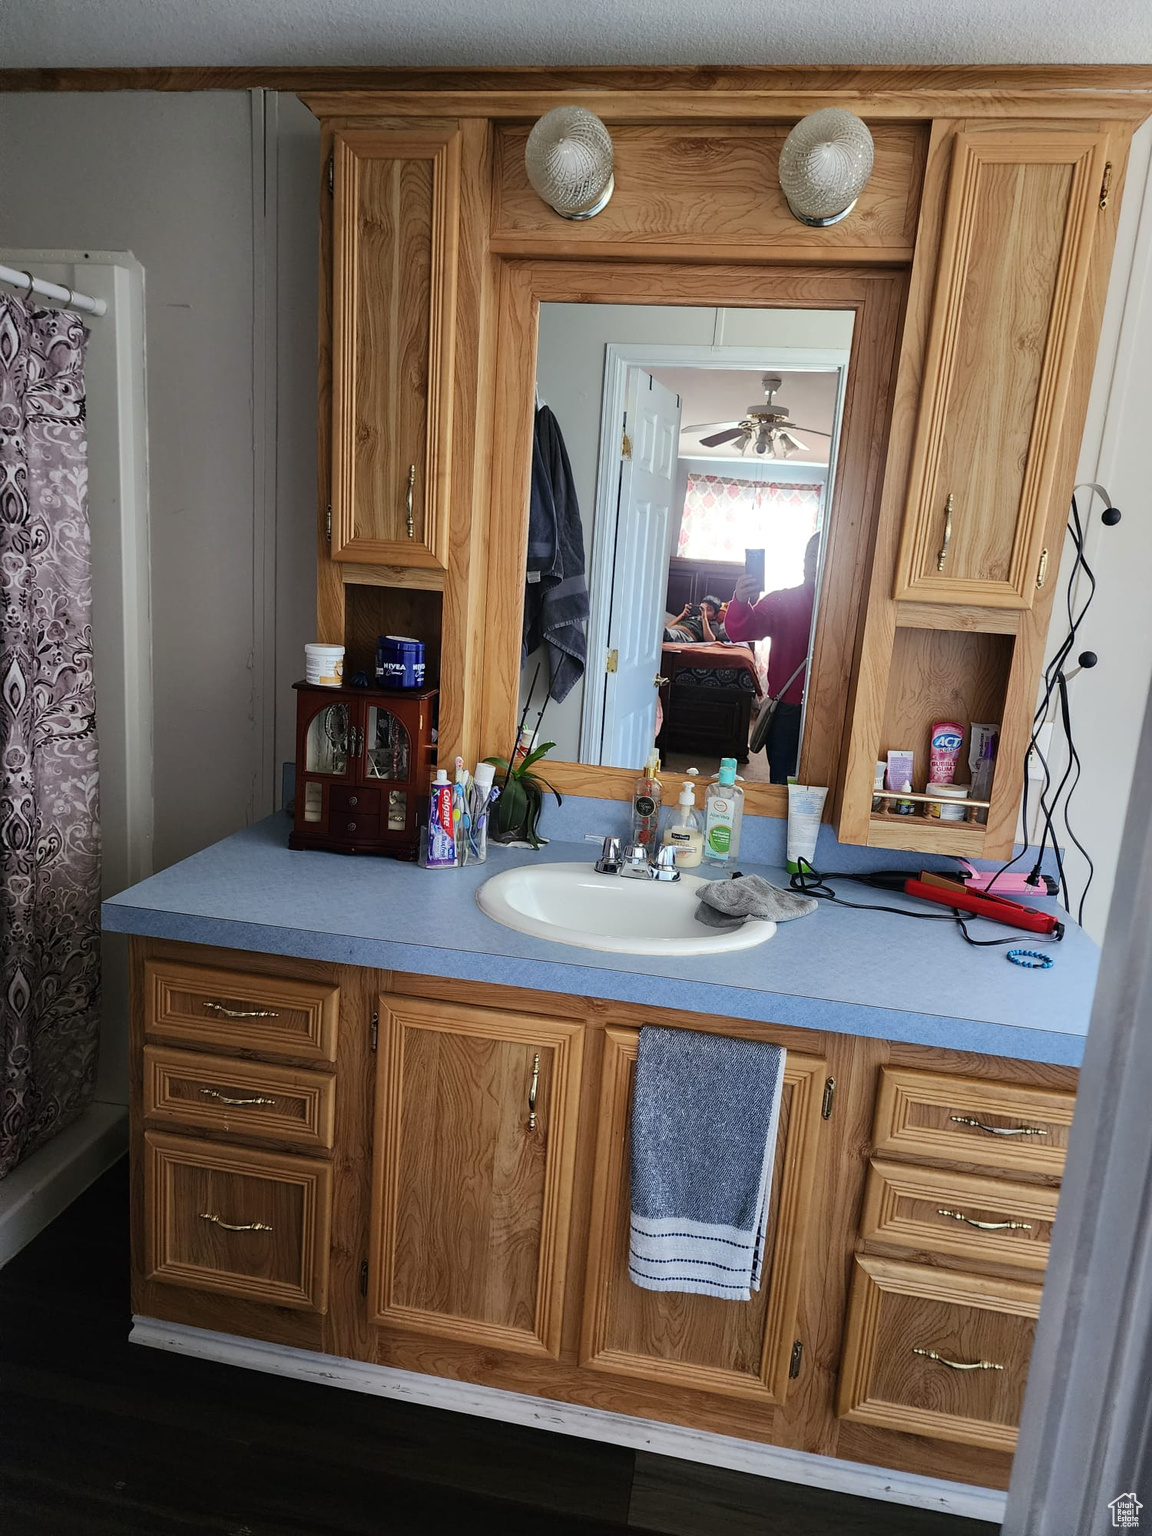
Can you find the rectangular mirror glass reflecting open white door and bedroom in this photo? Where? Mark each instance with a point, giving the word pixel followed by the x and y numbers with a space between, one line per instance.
pixel 694 452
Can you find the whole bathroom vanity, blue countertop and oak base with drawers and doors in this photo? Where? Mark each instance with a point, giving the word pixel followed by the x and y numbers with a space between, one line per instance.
pixel 371 1124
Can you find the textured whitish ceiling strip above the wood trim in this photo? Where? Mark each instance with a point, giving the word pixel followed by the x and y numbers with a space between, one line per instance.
pixel 91 33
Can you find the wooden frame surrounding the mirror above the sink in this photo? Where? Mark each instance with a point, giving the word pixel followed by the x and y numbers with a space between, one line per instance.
pixel 878 302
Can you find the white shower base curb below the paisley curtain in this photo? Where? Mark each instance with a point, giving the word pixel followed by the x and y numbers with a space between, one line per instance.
pixel 50 1179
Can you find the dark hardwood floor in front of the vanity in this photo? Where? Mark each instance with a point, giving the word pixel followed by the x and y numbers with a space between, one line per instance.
pixel 102 1438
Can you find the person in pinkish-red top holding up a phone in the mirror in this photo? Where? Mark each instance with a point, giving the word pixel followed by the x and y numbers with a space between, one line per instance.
pixel 786 618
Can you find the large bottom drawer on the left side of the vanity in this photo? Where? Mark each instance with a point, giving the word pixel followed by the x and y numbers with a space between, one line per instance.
pixel 251 1225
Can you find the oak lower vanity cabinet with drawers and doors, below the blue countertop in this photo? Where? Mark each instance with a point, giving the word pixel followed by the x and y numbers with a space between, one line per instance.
pixel 434 1177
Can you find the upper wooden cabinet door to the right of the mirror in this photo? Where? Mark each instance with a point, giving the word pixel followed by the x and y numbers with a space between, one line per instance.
pixel 1015 260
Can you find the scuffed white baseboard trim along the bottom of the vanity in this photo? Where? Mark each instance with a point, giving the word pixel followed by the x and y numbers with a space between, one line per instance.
pixel 568 1418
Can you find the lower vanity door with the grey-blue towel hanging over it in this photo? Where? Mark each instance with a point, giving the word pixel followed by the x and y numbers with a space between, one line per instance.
pixel 741 1349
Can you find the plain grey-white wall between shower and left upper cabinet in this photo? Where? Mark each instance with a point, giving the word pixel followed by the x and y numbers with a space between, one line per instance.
pixel 184 182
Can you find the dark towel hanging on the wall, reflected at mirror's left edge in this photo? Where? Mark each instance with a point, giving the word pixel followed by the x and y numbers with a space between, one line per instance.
pixel 555 589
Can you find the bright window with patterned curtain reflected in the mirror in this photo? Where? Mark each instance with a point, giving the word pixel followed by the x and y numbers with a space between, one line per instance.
pixel 724 517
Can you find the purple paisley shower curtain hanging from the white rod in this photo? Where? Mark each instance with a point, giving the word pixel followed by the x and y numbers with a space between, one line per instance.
pixel 50 832
